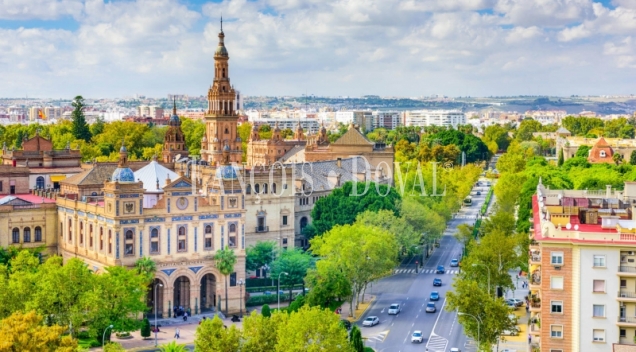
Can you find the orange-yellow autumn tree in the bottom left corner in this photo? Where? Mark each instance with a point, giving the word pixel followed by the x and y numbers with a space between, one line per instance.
pixel 26 332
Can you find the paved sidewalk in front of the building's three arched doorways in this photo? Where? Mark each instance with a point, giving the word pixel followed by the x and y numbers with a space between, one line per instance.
pixel 187 330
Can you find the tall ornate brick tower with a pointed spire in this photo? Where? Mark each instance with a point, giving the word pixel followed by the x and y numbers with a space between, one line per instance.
pixel 221 117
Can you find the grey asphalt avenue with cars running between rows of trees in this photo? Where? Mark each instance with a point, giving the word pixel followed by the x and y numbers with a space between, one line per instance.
pixel 411 290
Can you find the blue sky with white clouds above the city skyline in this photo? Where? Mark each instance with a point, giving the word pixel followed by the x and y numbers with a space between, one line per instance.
pixel 407 48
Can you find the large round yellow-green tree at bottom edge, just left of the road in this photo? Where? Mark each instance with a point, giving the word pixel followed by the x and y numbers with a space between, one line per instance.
pixel 312 329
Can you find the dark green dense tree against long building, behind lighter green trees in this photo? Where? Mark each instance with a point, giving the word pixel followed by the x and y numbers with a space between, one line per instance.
pixel 345 203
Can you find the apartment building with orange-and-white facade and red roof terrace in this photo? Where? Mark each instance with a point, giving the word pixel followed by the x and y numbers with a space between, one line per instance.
pixel 583 269
